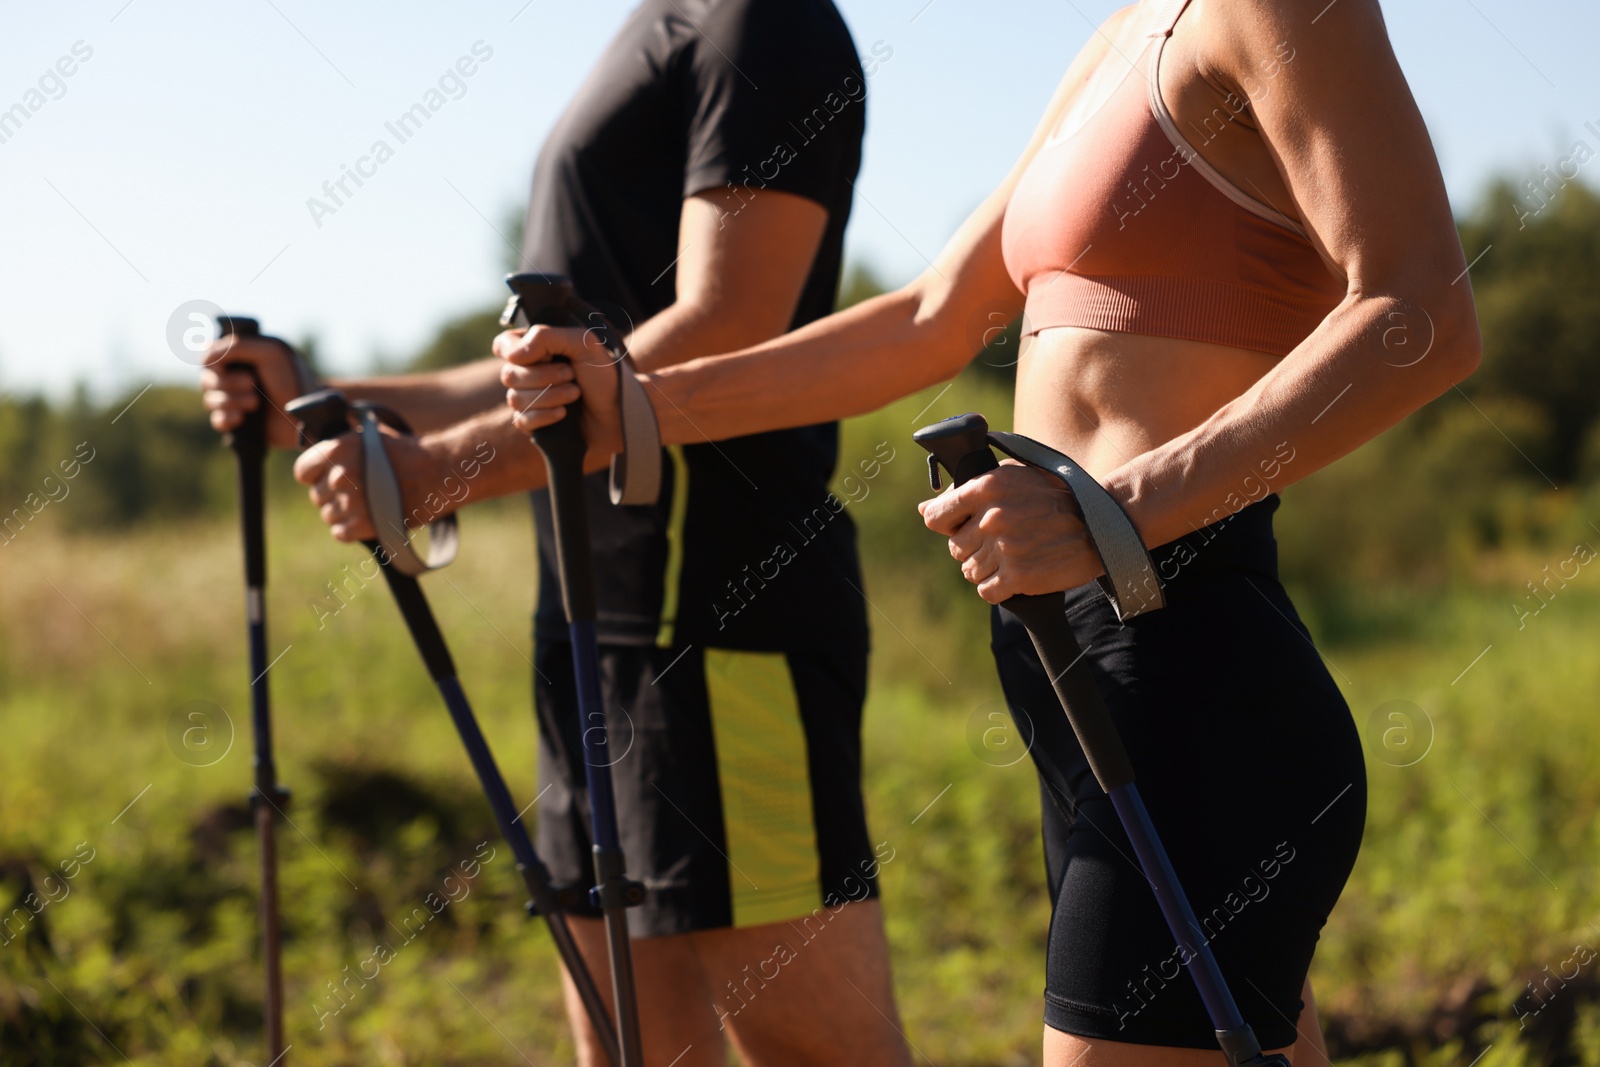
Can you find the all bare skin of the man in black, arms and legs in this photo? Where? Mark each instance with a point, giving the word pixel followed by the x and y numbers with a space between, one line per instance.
pixel 732 290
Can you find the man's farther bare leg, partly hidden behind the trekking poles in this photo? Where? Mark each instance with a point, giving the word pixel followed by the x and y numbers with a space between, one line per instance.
pixel 676 1018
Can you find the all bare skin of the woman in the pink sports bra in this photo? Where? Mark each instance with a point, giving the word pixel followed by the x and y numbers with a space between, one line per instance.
pixel 1170 428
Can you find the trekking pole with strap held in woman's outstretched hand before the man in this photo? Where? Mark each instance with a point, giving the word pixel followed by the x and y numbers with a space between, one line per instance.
pixel 550 300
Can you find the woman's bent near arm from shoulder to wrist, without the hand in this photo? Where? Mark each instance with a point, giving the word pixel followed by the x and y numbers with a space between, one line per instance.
pixel 1354 153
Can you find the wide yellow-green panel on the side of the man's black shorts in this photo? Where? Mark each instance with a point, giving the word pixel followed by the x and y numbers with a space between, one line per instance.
pixel 762 764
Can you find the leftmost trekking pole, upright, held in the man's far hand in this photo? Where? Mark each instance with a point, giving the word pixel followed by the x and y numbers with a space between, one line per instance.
pixel 268 799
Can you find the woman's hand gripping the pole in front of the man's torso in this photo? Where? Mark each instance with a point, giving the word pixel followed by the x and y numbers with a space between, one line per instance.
pixel 540 386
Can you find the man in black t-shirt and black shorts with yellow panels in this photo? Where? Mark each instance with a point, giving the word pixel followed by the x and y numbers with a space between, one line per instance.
pixel 698 188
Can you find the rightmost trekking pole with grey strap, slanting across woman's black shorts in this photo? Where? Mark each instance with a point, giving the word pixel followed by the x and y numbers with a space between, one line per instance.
pixel 962 447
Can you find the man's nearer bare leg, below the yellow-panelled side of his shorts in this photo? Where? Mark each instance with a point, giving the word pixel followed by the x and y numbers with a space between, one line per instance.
pixel 812 991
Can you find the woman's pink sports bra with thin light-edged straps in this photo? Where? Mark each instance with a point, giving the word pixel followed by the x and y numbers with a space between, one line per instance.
pixel 1119 225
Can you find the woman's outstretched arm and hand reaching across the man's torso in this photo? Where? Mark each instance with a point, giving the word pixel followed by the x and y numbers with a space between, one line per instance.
pixel 847 364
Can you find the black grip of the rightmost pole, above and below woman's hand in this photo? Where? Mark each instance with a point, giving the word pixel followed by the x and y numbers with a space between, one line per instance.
pixel 961 446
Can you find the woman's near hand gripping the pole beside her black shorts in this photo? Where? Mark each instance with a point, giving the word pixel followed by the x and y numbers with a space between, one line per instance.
pixel 1015 530
